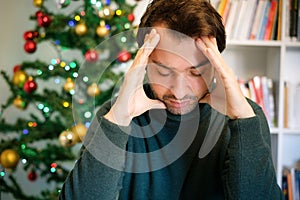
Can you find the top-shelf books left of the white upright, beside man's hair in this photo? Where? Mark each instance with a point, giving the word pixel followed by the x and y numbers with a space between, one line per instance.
pixel 251 19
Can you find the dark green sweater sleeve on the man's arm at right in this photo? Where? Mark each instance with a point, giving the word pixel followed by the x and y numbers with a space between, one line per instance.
pixel 250 173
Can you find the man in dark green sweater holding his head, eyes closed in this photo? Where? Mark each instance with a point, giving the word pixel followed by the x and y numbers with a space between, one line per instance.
pixel 188 133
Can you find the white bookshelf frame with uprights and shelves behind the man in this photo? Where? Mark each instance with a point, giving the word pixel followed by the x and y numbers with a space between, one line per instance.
pixel 279 60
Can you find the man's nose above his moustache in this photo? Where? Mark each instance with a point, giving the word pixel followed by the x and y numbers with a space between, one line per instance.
pixel 179 87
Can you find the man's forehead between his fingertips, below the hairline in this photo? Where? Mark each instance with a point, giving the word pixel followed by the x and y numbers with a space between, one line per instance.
pixel 175 47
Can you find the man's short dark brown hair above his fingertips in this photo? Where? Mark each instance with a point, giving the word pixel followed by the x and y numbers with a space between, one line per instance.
pixel 193 18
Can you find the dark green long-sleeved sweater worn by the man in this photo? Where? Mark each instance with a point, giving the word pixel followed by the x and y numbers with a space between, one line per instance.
pixel 160 161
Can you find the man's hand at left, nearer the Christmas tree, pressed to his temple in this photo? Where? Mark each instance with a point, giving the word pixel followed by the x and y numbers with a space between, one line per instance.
pixel 132 100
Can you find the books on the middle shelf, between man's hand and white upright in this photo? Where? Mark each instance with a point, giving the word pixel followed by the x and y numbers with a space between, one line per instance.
pixel 261 90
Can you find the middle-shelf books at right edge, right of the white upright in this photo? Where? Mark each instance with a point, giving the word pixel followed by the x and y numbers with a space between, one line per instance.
pixel 291 104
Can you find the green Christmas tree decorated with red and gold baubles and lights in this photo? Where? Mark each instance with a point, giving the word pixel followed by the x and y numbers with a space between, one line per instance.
pixel 62 94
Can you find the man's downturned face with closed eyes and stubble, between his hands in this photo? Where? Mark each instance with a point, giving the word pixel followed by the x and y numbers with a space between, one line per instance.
pixel 178 73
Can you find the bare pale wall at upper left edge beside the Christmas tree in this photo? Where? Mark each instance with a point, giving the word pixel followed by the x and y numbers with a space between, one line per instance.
pixel 14 22
